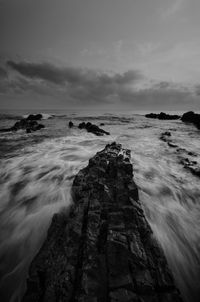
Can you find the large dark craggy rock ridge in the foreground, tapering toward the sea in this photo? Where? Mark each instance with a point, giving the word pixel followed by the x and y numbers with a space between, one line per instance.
pixel 104 249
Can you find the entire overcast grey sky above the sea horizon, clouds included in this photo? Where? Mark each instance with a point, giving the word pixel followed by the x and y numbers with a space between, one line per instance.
pixel 108 54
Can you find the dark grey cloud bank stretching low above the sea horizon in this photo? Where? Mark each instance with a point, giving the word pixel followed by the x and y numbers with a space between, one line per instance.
pixel 76 87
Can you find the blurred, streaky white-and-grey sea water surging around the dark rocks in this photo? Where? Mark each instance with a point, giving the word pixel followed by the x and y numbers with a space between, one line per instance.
pixel 36 174
